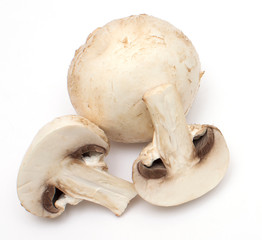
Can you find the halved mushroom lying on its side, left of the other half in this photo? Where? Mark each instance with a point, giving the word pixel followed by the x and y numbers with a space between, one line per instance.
pixel 65 164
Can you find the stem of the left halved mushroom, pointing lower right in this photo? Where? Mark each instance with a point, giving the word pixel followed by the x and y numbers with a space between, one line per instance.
pixel 81 181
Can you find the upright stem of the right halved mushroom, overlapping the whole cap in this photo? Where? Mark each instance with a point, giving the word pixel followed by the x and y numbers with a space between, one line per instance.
pixel 172 137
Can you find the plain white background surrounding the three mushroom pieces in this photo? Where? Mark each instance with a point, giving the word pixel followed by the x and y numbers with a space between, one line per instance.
pixel 37 44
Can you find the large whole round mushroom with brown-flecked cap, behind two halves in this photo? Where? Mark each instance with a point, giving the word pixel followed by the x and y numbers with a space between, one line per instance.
pixel 121 61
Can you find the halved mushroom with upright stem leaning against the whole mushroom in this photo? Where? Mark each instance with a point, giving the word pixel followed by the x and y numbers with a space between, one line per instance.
pixel 182 162
